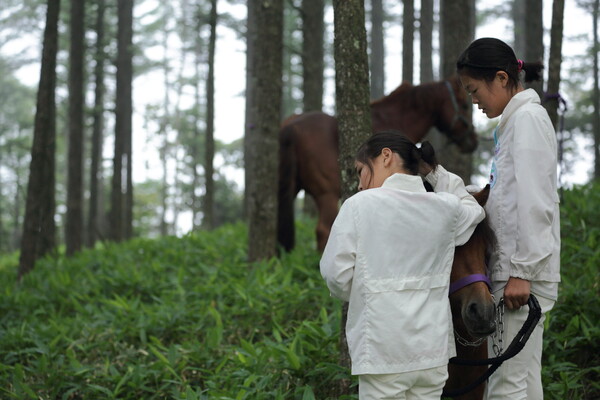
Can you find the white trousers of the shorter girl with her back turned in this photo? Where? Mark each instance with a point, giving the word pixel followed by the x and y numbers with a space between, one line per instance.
pixel 426 384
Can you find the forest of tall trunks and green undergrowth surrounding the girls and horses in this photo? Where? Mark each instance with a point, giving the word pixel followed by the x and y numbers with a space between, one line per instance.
pixel 139 175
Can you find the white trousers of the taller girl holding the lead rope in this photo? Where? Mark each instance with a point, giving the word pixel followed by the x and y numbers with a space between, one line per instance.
pixel 519 378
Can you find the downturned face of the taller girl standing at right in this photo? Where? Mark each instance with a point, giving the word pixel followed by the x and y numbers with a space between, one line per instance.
pixel 490 97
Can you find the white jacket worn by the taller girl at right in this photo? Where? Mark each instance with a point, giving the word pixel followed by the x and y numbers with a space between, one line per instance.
pixel 523 207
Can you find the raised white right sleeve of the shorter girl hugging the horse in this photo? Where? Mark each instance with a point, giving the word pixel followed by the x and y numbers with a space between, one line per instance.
pixel 470 213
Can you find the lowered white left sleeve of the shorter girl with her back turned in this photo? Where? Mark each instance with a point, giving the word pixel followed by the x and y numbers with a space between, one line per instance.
pixel 338 259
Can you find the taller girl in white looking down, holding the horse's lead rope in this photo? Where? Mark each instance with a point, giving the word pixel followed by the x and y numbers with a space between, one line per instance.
pixel 522 207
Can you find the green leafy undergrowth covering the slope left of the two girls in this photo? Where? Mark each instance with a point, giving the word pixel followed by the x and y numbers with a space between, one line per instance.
pixel 176 318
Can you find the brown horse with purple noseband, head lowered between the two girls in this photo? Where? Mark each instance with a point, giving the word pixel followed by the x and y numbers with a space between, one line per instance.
pixel 473 310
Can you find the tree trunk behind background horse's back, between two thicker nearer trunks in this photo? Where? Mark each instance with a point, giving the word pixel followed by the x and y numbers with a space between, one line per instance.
pixel 313 31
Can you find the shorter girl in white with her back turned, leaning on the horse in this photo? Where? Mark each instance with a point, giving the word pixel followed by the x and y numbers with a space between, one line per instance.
pixel 389 254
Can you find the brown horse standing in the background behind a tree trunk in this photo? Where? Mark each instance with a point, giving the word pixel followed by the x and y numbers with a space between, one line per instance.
pixel 309 146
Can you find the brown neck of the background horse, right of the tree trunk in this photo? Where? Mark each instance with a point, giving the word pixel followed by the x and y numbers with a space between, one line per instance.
pixel 412 110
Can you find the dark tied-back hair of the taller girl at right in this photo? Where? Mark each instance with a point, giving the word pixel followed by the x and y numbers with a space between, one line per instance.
pixel 486 56
